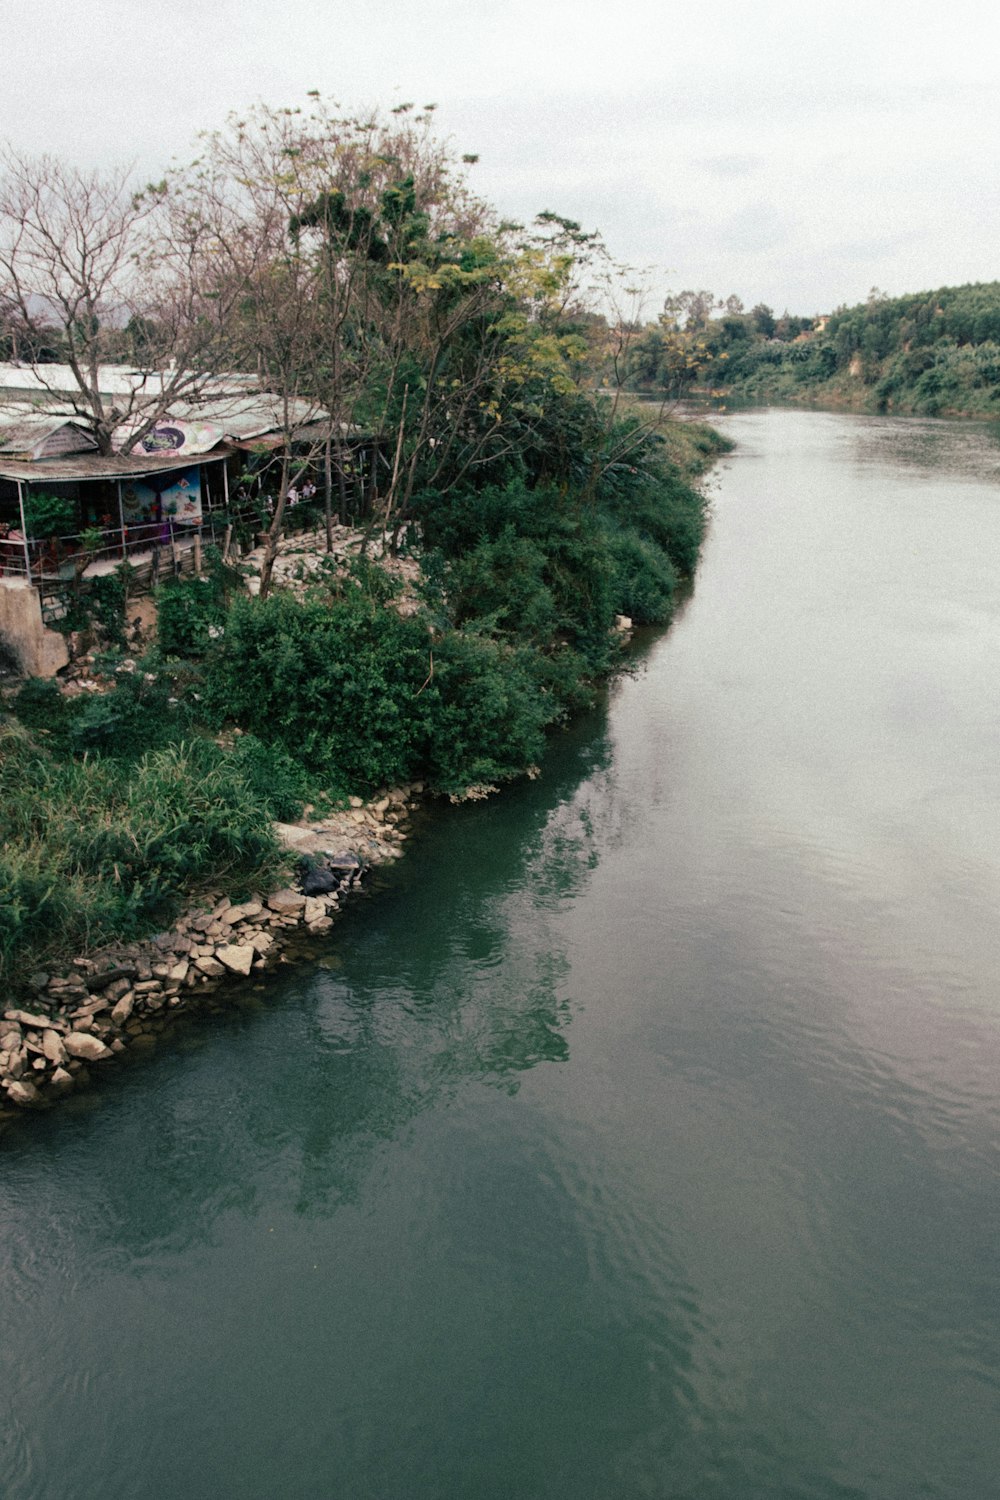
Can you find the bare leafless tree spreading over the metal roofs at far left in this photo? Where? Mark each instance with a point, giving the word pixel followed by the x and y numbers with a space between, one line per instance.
pixel 92 268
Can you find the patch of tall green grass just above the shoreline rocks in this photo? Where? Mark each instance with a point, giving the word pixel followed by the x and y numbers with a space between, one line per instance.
pixel 95 850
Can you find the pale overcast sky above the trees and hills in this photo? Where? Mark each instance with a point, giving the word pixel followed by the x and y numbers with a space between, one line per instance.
pixel 794 154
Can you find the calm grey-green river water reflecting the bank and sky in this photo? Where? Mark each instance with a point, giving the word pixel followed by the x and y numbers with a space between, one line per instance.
pixel 641 1138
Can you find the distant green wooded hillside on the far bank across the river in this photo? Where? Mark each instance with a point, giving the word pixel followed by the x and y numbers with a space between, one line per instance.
pixel 932 353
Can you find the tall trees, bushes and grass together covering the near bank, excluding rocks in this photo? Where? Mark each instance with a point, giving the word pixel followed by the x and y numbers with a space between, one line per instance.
pixel 379 290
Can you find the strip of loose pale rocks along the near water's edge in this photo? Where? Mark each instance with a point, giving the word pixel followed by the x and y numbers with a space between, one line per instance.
pixel 97 1007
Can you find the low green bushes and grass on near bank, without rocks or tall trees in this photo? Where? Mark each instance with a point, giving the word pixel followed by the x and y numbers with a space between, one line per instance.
pixel 121 803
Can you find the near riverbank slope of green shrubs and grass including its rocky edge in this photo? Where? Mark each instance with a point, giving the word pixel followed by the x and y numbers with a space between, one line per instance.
pixel 253 731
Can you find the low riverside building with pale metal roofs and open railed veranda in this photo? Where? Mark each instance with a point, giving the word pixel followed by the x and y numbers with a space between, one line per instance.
pixel 209 470
